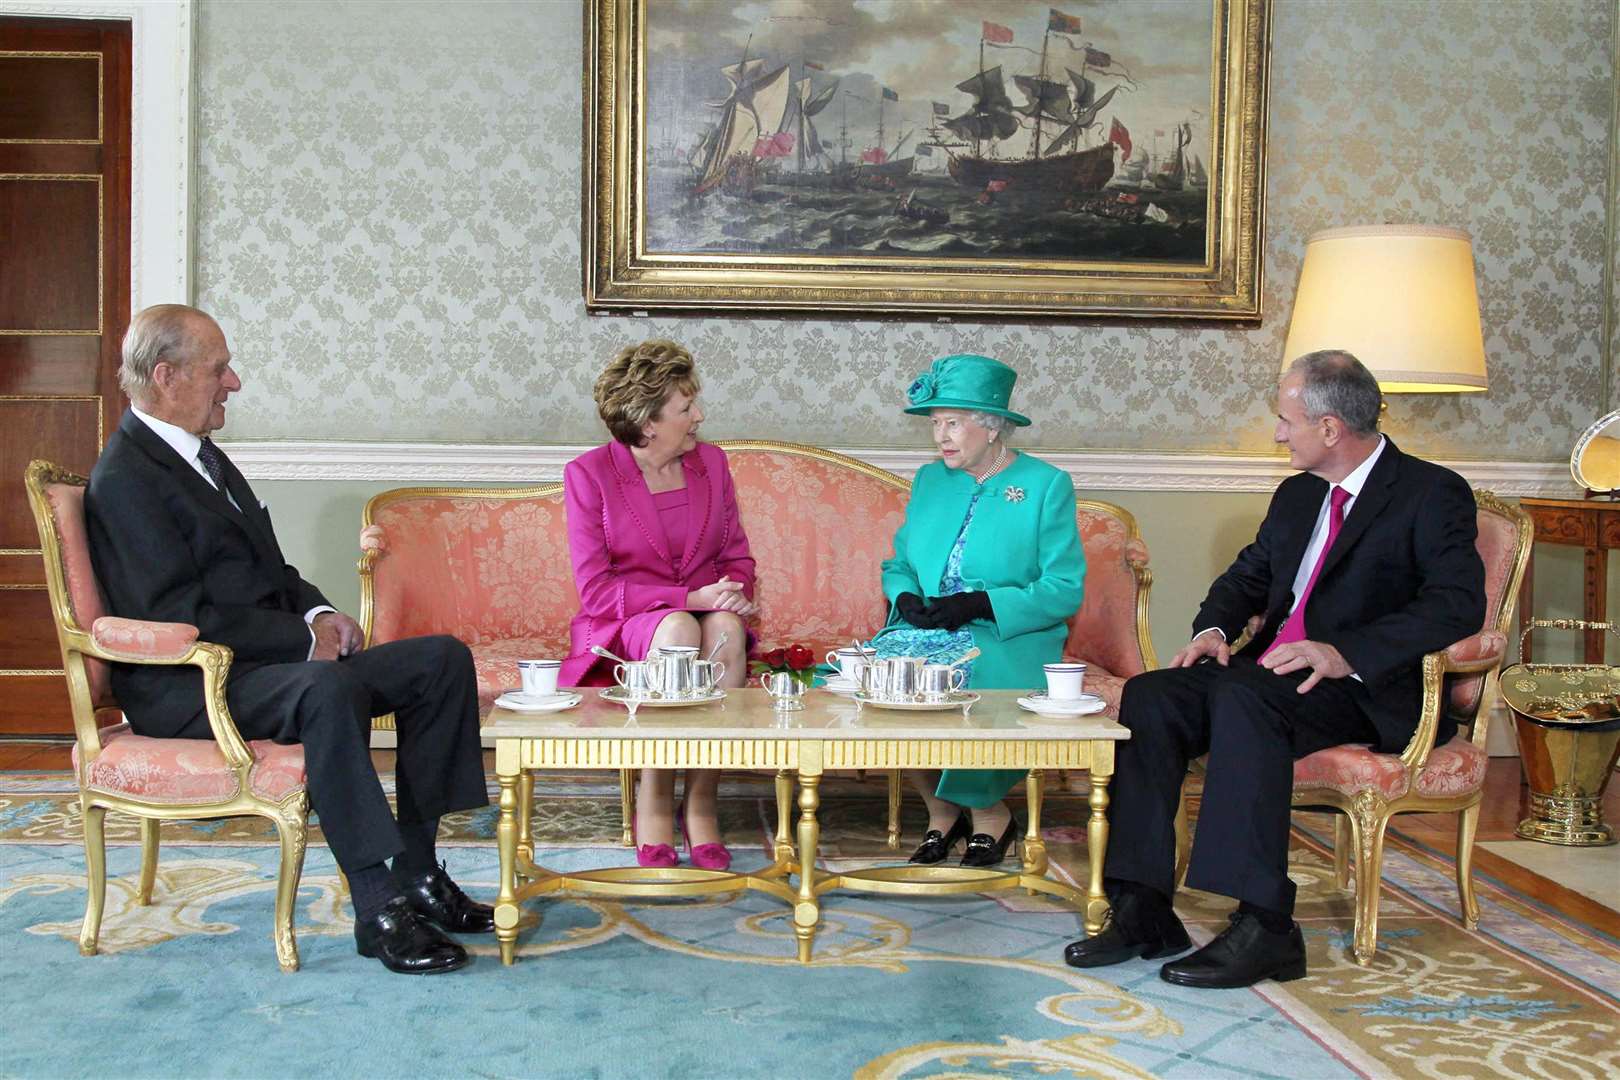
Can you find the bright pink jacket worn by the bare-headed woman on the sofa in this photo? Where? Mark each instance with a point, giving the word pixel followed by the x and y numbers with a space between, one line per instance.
pixel 621 561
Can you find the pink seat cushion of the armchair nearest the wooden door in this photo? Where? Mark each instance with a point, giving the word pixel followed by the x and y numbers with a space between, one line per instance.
pixel 187 770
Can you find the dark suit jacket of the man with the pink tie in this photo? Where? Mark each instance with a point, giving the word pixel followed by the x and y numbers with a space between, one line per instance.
pixel 1404 579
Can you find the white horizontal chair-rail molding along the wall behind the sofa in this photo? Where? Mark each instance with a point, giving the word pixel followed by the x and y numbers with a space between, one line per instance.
pixel 1093 470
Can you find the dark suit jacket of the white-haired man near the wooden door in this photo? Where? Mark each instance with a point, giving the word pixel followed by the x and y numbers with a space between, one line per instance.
pixel 171 548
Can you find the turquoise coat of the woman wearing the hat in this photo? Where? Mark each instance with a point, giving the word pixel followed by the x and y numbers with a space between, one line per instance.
pixel 1025 551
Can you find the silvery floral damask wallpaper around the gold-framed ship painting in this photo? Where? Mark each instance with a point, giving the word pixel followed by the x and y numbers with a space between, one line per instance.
pixel 390 213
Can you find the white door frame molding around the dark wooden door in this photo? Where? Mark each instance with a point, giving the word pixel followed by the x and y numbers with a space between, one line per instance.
pixel 160 137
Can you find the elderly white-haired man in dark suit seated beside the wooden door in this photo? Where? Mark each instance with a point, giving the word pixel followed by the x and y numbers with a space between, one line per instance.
pixel 176 535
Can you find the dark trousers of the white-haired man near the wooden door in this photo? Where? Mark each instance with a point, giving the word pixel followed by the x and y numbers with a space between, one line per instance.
pixel 328 705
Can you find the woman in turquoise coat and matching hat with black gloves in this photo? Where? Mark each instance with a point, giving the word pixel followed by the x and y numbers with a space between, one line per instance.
pixel 989 556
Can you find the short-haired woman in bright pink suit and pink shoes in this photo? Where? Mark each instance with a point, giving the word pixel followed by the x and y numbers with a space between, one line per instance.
pixel 659 559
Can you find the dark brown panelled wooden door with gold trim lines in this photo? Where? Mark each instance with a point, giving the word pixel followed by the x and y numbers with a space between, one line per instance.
pixel 64 308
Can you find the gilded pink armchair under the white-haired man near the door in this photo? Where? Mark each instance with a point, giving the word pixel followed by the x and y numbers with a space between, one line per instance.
pixel 155 780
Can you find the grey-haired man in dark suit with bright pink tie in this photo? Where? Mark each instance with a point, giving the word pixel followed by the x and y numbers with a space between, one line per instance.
pixel 1365 563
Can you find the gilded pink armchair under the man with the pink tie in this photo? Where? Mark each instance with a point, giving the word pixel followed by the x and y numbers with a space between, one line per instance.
pixel 1366 789
